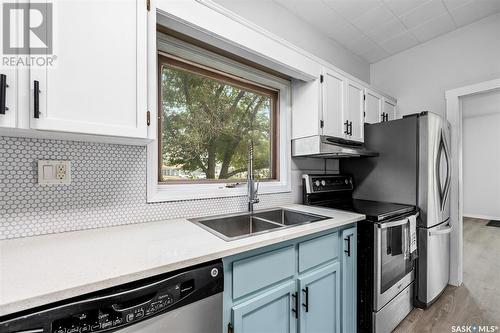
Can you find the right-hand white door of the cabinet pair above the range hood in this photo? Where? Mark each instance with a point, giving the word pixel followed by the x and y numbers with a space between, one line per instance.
pixel 355 109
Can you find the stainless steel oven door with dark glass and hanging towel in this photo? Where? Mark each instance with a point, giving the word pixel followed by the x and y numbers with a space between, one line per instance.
pixel 393 264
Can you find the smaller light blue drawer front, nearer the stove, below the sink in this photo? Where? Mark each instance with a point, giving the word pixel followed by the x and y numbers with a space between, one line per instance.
pixel 318 251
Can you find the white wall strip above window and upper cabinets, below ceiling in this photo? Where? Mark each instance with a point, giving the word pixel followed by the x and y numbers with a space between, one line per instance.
pixel 280 21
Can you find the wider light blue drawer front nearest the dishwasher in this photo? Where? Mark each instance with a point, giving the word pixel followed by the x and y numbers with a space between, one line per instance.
pixel 258 272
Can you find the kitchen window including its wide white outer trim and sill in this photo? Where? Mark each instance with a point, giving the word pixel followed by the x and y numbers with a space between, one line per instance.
pixel 209 108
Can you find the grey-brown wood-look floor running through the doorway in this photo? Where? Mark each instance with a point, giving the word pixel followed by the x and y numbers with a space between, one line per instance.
pixel 477 300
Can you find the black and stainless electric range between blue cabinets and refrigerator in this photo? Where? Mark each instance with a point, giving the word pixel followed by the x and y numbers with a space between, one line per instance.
pixel 386 248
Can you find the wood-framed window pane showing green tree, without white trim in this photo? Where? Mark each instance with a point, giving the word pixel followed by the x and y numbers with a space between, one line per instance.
pixel 207 119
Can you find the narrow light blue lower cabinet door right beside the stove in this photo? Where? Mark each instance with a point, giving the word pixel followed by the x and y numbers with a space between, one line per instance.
pixel 349 280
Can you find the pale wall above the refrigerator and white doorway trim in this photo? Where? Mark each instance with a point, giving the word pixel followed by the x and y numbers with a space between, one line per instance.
pixel 418 77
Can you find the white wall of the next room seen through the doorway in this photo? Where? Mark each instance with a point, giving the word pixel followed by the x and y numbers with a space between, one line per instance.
pixel 481 155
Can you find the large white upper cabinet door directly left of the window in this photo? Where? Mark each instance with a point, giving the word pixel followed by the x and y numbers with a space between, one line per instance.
pixel 98 83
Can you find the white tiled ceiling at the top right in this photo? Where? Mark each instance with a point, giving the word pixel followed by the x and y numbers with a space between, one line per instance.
pixel 376 29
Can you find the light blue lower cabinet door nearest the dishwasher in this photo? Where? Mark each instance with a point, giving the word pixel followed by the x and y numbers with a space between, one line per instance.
pixel 269 312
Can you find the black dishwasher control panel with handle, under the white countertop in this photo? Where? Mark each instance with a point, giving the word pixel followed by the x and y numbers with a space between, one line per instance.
pixel 123 305
